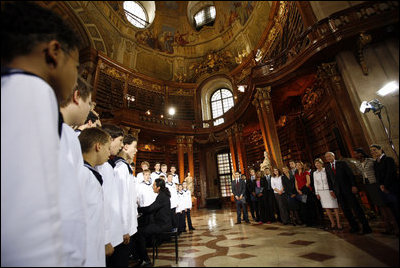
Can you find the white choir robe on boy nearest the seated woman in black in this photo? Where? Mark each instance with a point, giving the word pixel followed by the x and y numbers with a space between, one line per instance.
pixel 128 197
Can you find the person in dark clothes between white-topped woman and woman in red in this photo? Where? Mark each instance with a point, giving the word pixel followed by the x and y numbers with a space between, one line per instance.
pixel 288 182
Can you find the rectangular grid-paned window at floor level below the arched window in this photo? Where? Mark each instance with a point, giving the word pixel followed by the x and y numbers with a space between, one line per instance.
pixel 225 173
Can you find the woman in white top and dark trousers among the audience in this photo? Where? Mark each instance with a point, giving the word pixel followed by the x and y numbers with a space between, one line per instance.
pixel 280 196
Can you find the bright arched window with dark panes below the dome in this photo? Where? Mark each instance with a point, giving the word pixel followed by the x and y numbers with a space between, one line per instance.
pixel 221 102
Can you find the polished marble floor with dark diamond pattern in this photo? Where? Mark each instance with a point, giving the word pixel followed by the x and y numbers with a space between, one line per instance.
pixel 218 242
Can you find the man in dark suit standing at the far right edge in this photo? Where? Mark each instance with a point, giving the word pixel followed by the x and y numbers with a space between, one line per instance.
pixel 387 177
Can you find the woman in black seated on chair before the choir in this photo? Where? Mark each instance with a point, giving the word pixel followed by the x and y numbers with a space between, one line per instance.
pixel 161 212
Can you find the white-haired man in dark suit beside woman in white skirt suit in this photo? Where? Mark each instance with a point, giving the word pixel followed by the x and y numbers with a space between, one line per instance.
pixel 341 180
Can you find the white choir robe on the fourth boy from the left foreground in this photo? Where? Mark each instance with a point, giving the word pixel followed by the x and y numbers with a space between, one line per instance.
pixel 112 207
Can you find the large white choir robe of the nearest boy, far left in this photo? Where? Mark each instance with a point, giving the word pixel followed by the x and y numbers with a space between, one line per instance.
pixel 30 213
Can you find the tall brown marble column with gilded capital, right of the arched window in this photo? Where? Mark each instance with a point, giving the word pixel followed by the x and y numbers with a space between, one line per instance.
pixel 262 101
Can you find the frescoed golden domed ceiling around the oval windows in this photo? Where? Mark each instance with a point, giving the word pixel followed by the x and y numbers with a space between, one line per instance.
pixel 170 48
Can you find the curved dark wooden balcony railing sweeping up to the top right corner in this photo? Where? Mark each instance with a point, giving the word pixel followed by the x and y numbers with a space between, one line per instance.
pixel 338 26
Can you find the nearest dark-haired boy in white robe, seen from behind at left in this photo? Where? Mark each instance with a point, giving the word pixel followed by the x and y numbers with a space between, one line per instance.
pixel 39 61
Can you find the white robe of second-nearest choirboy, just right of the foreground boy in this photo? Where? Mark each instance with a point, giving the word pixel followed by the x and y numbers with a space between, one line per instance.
pixel 72 198
